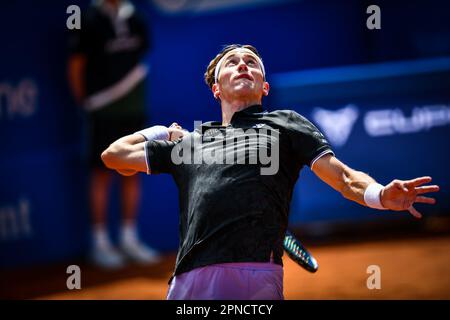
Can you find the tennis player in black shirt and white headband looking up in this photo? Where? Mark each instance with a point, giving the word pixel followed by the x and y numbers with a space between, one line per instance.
pixel 235 181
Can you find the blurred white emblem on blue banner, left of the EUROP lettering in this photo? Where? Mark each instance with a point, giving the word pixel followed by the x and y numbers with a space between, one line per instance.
pixel 336 124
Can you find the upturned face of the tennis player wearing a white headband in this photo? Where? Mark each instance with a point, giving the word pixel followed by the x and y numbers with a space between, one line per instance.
pixel 241 77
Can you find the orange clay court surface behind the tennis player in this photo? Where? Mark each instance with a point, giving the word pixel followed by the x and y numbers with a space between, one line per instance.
pixel 411 268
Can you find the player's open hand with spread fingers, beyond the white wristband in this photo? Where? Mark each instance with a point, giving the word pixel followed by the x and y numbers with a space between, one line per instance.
pixel 402 194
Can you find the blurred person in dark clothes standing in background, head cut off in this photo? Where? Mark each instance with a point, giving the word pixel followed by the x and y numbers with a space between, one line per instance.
pixel 107 76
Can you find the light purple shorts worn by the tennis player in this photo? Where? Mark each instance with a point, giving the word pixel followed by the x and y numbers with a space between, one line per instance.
pixel 229 281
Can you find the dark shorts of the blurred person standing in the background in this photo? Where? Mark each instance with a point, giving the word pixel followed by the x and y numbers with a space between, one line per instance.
pixel 120 118
